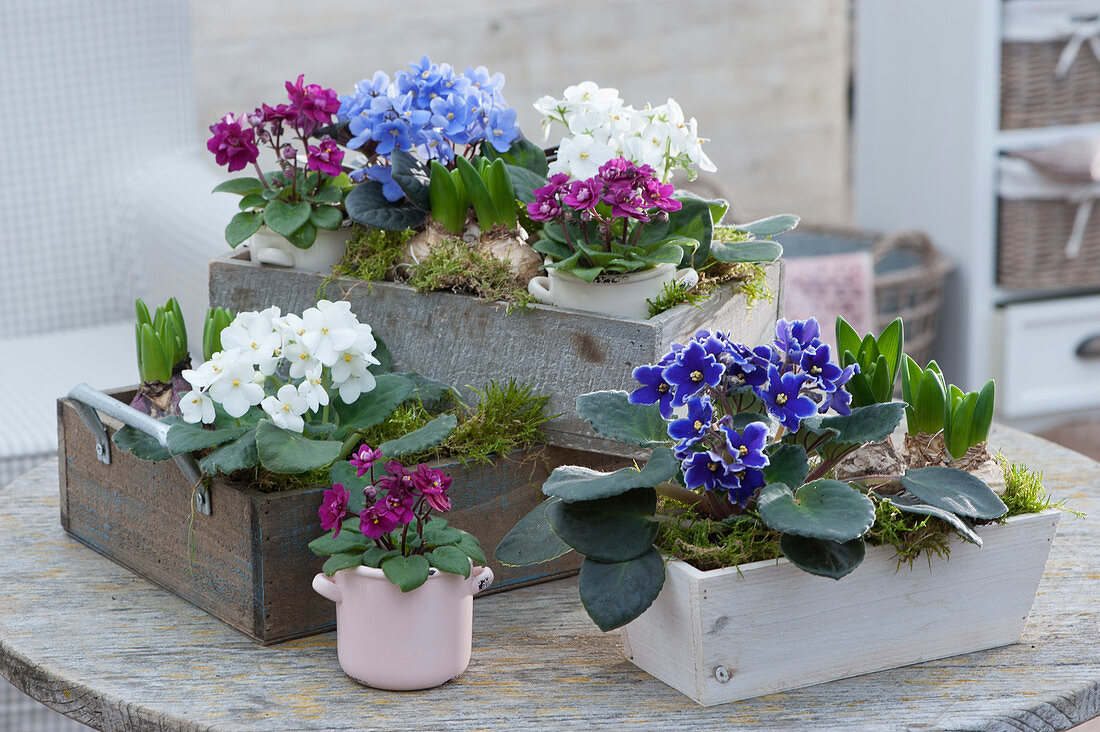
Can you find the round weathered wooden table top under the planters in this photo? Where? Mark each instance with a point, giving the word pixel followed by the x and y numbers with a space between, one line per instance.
pixel 115 652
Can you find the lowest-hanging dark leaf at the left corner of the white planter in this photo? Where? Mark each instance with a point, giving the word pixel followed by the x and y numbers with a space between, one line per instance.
pixel 615 594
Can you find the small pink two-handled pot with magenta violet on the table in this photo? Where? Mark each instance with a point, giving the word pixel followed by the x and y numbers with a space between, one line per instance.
pixel 392 640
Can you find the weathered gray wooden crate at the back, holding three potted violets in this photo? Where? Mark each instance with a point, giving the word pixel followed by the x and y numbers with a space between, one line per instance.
pixel 464 342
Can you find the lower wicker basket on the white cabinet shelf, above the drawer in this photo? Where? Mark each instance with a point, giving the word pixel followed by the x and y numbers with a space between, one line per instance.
pixel 1031 252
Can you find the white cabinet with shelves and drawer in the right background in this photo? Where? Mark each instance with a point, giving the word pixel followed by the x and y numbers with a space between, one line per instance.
pixel 927 141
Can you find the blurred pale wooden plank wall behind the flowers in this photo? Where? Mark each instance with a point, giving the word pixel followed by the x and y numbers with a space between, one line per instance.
pixel 767 80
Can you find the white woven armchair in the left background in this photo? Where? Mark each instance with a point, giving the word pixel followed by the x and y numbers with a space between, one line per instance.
pixel 106 196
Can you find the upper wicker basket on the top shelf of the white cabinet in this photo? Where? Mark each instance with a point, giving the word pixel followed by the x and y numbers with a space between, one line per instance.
pixel 1033 96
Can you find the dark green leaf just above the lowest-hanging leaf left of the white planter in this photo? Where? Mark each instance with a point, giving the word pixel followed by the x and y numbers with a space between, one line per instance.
pixel 617 529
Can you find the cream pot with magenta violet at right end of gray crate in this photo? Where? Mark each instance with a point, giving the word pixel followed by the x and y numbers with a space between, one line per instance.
pixel 621 296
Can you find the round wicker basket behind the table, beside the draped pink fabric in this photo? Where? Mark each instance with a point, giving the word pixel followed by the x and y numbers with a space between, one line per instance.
pixel 912 293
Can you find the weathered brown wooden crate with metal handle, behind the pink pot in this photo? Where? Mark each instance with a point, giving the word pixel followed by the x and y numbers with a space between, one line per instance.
pixel 247 563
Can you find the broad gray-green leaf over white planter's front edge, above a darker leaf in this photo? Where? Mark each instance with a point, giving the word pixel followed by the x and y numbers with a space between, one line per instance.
pixel 823 509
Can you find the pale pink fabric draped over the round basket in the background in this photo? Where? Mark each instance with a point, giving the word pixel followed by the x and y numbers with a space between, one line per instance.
pixel 830 286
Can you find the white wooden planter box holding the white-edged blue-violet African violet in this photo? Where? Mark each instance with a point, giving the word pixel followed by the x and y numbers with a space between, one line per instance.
pixel 767 627
